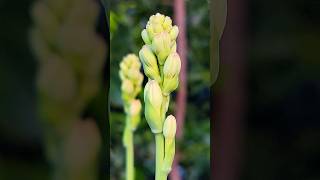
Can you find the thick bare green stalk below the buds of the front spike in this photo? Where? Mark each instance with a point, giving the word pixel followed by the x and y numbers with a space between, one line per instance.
pixel 159 156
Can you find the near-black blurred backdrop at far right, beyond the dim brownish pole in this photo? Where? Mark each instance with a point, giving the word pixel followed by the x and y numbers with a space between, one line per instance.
pixel 282 139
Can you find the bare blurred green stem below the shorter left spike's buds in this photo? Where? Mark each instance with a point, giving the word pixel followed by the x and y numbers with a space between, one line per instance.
pixel 130 157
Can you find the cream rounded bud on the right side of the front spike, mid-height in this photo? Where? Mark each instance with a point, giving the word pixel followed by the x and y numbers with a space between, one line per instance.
pixel 172 66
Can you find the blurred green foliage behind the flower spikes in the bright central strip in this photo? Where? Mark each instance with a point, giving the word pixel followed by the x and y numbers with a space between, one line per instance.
pixel 127 19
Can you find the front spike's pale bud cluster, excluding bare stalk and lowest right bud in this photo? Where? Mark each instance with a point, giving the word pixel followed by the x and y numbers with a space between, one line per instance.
pixel 161 64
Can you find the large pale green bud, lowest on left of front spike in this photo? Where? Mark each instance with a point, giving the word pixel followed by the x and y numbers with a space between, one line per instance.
pixel 153 101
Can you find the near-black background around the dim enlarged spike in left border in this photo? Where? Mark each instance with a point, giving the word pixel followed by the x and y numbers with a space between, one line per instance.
pixel 22 153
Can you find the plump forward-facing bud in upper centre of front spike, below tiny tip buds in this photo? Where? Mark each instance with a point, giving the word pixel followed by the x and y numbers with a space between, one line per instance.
pixel 161 45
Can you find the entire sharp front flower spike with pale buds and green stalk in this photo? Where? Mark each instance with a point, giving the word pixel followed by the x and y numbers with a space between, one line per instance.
pixel 161 64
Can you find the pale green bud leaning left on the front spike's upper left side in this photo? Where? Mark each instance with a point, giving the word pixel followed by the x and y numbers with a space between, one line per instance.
pixel 149 62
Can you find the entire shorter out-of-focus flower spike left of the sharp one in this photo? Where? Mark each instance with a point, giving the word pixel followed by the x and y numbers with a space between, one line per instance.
pixel 131 78
